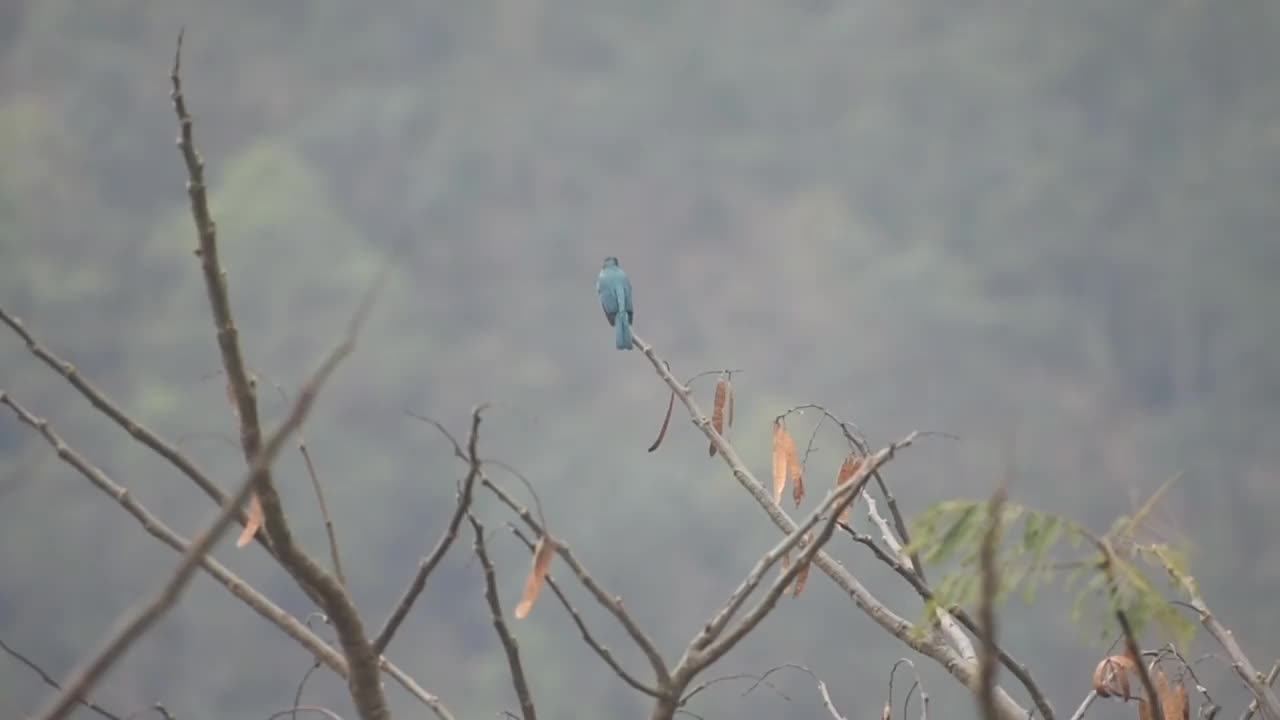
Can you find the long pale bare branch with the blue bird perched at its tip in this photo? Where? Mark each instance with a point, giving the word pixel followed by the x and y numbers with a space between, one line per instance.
pixel 900 628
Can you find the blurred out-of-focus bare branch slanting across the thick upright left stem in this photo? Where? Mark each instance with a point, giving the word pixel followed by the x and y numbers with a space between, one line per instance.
pixel 147 614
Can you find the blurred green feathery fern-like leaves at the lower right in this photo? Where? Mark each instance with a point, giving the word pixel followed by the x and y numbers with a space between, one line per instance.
pixel 1108 573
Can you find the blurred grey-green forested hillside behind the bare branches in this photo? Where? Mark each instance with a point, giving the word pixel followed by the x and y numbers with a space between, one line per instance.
pixel 1050 222
